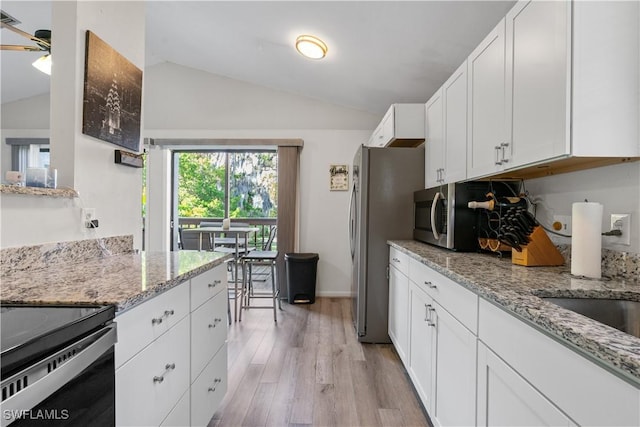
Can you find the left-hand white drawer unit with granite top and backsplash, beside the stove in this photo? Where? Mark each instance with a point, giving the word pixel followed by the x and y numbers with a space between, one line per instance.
pixel 171 317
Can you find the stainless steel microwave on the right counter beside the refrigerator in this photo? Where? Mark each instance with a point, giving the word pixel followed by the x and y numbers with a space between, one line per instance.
pixel 442 218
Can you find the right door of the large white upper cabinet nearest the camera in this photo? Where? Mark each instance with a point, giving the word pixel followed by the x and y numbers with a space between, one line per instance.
pixel 538 85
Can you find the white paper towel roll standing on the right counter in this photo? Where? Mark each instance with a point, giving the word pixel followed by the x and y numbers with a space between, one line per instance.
pixel 586 239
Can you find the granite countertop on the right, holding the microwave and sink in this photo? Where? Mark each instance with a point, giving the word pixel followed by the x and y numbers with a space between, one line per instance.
pixel 517 290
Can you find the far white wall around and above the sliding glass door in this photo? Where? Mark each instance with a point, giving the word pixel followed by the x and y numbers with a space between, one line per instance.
pixel 186 103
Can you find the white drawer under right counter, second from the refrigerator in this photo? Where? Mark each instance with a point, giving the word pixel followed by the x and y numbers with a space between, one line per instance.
pixel 460 302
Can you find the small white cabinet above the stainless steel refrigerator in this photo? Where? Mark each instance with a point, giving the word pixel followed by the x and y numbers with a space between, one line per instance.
pixel 401 126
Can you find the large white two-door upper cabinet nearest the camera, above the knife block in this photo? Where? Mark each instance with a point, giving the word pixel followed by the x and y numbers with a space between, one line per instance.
pixel 544 86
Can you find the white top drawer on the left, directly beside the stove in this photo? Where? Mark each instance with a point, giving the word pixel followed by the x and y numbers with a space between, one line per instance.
pixel 139 326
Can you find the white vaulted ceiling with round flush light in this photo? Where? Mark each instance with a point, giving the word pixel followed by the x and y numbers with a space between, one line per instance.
pixel 380 52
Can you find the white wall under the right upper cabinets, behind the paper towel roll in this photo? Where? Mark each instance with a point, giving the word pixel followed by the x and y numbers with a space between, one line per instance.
pixel 616 187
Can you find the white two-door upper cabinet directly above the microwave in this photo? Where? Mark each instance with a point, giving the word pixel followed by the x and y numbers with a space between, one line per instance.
pixel 446 131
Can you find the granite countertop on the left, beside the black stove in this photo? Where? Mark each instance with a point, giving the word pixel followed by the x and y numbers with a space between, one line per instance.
pixel 124 280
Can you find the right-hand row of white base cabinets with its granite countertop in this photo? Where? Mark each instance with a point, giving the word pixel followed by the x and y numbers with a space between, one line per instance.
pixel 484 348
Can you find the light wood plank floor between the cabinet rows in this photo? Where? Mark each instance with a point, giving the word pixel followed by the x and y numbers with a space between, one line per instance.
pixel 310 370
